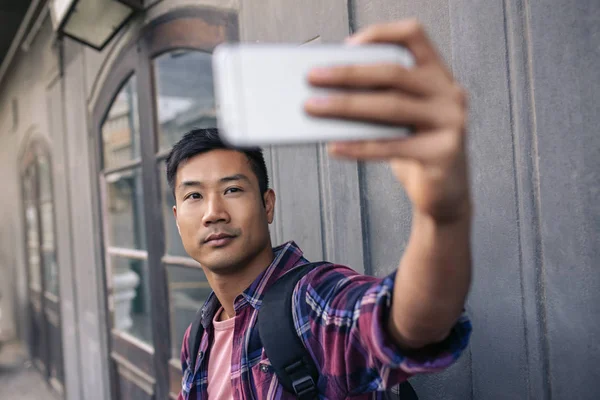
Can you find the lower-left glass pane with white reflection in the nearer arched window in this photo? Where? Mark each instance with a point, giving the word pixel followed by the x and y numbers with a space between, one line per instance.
pixel 131 297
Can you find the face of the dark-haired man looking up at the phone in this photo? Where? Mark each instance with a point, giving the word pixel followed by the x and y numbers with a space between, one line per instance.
pixel 219 210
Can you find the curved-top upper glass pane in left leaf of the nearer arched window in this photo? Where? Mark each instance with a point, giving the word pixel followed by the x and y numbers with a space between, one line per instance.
pixel 121 130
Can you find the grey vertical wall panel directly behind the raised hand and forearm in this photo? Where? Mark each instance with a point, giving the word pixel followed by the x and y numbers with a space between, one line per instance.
pixel 386 208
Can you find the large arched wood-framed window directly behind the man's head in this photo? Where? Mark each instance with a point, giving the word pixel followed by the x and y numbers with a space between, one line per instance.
pixel 159 87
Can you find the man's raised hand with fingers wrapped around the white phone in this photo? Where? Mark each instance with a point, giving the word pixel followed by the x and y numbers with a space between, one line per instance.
pixel 431 163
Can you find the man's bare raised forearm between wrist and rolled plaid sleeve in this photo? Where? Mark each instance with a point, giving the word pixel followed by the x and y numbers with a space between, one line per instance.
pixel 432 282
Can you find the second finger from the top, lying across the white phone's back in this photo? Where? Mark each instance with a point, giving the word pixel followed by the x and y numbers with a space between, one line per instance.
pixel 420 82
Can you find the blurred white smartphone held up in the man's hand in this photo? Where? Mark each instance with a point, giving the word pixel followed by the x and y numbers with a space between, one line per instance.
pixel 260 91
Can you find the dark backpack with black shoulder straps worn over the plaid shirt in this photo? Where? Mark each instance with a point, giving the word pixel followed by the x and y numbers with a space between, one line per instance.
pixel 292 363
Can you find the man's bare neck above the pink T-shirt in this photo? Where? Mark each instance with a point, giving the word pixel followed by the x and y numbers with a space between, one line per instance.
pixel 227 287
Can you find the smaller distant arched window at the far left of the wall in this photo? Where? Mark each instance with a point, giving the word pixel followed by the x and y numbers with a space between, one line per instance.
pixel 45 338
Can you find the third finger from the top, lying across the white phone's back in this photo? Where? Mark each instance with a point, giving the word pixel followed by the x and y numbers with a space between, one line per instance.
pixel 381 107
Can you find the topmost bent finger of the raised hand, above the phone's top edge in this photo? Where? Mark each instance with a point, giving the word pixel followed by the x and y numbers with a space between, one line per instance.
pixel 409 33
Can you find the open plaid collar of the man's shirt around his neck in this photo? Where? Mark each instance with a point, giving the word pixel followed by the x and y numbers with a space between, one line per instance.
pixel 286 256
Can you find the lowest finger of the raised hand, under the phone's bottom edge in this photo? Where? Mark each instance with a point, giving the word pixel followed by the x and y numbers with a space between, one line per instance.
pixel 425 147
